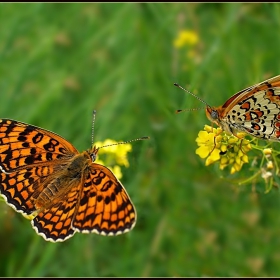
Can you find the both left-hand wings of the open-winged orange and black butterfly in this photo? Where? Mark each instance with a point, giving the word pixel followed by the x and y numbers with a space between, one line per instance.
pixel 28 156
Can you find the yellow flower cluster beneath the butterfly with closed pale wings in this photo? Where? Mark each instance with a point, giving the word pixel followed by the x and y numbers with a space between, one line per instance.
pixel 216 145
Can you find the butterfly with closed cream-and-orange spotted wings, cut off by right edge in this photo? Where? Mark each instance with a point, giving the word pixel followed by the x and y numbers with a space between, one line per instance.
pixel 254 110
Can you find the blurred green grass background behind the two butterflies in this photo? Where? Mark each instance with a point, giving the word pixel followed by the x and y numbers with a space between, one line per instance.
pixel 61 61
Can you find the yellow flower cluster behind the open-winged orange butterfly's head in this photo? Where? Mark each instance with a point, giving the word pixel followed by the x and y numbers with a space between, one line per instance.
pixel 113 156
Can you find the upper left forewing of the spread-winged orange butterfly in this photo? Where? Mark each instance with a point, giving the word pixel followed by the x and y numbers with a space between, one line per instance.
pixel 24 145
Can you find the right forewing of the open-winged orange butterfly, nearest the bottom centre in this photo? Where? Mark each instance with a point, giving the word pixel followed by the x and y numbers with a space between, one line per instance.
pixel 105 207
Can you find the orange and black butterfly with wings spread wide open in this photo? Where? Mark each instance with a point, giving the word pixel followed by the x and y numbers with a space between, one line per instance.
pixel 62 191
